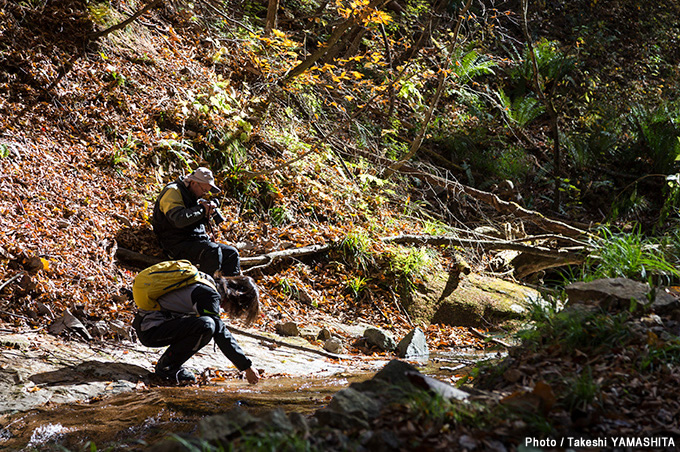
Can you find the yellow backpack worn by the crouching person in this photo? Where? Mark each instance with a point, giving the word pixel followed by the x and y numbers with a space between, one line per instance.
pixel 155 281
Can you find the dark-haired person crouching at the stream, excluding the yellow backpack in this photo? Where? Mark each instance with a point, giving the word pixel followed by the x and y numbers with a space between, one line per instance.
pixel 190 317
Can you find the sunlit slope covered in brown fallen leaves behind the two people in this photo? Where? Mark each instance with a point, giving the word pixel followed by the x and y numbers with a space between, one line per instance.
pixel 86 126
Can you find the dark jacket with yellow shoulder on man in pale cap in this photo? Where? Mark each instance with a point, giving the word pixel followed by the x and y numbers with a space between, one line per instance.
pixel 177 216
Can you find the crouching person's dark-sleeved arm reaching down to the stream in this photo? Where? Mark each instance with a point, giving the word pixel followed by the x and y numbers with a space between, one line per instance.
pixel 207 302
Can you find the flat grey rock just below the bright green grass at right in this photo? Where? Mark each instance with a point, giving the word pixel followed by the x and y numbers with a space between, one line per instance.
pixel 608 293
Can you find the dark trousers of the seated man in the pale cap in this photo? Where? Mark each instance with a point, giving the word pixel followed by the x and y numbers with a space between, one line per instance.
pixel 208 256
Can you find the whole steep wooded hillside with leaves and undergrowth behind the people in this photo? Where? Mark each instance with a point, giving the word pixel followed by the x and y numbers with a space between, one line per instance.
pixel 94 125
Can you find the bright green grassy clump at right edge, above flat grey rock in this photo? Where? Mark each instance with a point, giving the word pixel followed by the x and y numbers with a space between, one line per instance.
pixel 629 255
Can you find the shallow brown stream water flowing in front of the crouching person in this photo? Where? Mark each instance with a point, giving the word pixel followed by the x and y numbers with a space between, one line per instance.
pixel 132 420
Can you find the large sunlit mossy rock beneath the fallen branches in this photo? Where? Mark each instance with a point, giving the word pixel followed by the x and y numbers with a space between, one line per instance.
pixel 472 300
